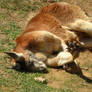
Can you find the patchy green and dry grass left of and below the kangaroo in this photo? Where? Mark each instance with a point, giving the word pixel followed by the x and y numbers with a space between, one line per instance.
pixel 12 13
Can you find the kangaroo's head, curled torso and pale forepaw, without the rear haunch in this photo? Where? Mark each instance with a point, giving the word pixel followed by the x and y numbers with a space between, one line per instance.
pixel 46 35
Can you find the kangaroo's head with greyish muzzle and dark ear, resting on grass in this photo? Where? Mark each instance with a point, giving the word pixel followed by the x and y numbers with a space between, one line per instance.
pixel 31 63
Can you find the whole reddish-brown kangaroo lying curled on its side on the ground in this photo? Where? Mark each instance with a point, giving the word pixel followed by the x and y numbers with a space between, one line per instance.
pixel 48 32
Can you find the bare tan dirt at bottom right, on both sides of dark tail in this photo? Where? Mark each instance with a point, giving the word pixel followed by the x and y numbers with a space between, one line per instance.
pixel 58 78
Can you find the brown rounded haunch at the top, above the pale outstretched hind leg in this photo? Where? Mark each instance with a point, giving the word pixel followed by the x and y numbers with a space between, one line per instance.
pixel 65 13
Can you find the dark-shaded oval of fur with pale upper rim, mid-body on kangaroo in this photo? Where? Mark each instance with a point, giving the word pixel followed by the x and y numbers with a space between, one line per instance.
pixel 44 41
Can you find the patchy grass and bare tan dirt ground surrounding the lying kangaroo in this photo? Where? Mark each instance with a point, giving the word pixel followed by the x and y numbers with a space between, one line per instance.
pixel 13 18
